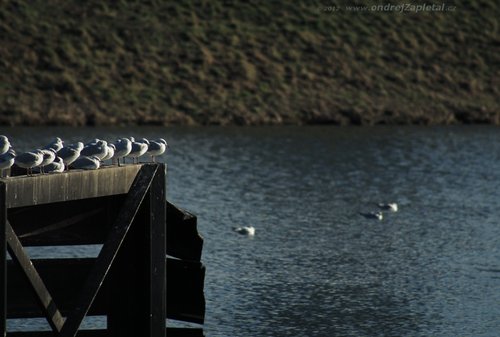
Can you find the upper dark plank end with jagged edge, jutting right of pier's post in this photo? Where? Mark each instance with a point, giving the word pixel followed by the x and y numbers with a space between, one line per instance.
pixel 183 240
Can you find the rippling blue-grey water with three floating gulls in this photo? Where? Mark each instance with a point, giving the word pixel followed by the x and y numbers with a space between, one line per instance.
pixel 315 267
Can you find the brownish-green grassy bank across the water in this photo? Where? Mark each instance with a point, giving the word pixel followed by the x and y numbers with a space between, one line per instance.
pixel 265 62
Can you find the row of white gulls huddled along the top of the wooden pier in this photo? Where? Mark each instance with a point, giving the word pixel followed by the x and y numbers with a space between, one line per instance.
pixel 55 157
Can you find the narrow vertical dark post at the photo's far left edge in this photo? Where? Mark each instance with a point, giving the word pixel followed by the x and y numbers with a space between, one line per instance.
pixel 3 265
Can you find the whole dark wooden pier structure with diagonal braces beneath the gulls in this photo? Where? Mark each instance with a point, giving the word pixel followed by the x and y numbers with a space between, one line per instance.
pixel 148 269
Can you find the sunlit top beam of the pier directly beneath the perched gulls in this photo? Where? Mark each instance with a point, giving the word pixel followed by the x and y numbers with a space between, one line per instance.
pixel 71 185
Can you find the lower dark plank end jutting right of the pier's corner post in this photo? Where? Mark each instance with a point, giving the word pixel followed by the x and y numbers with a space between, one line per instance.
pixel 185 297
